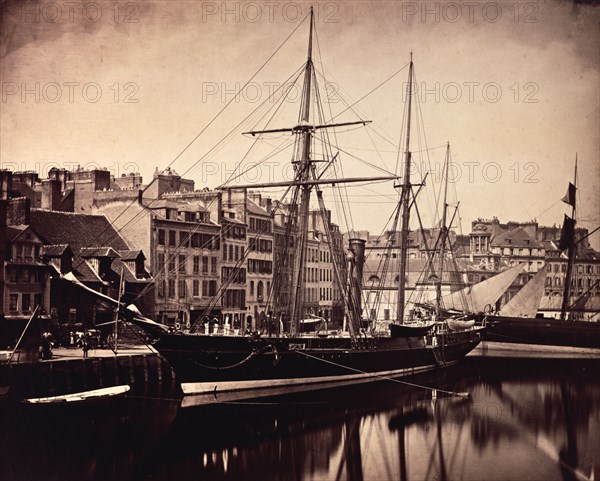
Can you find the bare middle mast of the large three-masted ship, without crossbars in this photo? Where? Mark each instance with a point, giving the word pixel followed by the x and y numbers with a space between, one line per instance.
pixel 405 199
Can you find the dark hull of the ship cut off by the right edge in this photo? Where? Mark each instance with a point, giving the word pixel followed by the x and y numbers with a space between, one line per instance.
pixel 549 332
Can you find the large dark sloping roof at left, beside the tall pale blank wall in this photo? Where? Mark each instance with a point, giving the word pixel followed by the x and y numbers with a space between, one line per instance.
pixel 77 230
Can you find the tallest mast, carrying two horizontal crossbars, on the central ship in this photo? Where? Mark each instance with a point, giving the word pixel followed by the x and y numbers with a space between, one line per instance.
pixel 303 168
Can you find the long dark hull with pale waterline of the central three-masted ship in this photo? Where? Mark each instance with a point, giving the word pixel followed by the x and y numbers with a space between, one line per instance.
pixel 254 367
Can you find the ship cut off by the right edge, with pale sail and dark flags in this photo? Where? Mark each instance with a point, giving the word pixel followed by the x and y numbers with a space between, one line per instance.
pixel 518 322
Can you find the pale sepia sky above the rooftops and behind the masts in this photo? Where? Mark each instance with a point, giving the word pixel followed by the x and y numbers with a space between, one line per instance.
pixel 177 61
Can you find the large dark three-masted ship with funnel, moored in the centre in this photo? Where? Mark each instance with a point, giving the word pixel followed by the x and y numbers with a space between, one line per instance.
pixel 224 367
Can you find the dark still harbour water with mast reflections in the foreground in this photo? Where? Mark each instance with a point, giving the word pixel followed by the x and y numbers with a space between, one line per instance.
pixel 525 419
